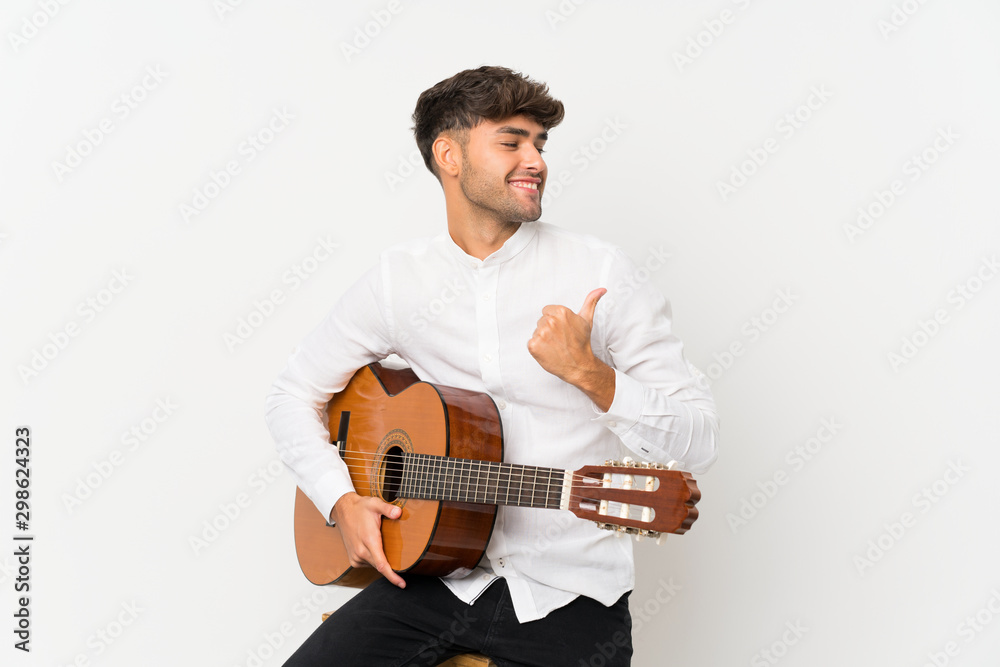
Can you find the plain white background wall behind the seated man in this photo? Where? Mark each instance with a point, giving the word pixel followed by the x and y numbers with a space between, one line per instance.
pixel 824 551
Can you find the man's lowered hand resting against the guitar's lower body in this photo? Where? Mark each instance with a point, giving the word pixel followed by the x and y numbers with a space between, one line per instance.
pixel 360 519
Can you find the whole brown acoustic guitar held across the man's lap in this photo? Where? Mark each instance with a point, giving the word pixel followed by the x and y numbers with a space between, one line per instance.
pixel 437 452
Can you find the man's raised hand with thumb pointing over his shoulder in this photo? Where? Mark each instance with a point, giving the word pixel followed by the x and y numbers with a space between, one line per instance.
pixel 561 345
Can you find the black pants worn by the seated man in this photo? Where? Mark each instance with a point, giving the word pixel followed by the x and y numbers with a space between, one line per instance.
pixel 425 624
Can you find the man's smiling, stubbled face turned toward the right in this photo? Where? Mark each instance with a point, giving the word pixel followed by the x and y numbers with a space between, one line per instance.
pixel 503 173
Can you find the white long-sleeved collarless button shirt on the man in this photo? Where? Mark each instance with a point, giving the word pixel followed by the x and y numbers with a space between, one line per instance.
pixel 463 322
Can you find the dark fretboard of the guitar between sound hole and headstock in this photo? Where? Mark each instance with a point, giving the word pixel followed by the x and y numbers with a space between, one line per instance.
pixel 486 482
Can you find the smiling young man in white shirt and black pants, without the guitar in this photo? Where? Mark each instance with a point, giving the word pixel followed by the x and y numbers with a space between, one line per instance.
pixel 573 387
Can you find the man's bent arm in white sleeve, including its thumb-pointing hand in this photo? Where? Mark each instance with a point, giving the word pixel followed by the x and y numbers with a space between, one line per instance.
pixel 656 402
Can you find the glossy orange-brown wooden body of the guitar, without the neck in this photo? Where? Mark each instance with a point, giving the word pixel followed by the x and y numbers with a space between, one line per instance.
pixel 390 412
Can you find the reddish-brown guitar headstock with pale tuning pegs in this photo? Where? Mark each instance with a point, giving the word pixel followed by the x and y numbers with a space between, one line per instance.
pixel 644 499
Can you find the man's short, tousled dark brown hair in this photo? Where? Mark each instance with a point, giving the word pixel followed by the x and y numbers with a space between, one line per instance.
pixel 474 95
